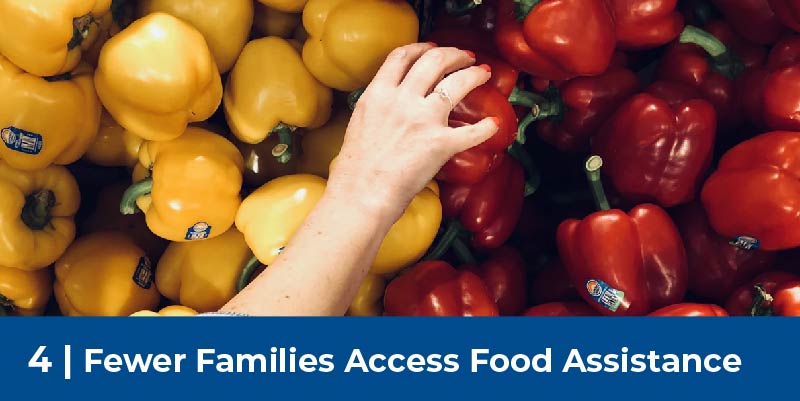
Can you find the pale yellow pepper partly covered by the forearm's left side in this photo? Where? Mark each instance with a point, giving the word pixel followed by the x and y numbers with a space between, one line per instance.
pixel 271 215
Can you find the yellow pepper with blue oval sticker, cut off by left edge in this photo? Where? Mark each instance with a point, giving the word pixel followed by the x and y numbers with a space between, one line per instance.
pixel 46 121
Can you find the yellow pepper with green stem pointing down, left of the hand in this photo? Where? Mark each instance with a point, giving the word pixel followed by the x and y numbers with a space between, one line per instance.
pixel 269 91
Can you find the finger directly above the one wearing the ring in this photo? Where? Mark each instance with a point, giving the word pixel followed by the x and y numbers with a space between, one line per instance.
pixel 433 66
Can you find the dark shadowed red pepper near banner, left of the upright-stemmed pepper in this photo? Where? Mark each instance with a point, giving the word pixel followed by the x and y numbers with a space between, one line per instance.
pixel 504 274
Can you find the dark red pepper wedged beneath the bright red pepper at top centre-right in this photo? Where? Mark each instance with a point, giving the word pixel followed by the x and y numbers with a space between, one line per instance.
pixel 586 103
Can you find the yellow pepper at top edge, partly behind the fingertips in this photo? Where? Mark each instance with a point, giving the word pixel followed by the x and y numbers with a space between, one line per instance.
pixel 350 39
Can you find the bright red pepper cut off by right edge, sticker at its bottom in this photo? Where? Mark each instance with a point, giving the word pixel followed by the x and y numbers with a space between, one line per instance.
pixel 753 195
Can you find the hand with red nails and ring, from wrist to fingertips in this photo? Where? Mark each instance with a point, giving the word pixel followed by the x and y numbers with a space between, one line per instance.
pixel 398 136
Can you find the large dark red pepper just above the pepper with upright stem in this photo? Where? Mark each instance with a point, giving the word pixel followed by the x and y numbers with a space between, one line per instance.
pixel 654 152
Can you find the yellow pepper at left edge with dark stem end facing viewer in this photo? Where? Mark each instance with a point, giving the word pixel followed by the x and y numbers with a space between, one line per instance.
pixel 36 215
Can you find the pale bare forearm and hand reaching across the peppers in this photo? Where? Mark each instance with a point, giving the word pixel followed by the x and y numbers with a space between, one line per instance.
pixel 397 140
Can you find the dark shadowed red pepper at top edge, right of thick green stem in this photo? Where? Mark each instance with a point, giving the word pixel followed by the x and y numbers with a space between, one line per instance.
pixel 753 19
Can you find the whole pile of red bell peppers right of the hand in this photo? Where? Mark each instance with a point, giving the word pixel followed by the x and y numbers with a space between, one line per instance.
pixel 648 162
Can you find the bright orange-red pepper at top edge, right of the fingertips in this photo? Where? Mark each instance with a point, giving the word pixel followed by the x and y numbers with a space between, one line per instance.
pixel 558 39
